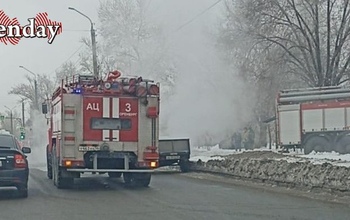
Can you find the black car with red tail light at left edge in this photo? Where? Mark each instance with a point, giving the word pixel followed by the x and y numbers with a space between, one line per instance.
pixel 14 170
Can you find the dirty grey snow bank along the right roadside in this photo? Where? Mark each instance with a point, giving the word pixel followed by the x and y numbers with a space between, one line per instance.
pixel 316 170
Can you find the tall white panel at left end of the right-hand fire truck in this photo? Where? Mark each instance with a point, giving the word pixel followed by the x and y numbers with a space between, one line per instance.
pixel 289 121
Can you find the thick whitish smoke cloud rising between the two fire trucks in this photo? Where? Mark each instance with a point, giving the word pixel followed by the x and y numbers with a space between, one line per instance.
pixel 210 101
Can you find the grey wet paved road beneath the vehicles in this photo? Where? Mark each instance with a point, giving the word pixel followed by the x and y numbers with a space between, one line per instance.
pixel 170 196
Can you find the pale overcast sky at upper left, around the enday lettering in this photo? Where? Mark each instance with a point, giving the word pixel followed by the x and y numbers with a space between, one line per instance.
pixel 36 54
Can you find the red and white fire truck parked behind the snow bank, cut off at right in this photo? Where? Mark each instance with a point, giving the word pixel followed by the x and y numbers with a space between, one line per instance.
pixel 316 119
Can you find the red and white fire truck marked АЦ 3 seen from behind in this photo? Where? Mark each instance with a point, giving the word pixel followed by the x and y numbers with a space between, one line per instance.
pixel 103 126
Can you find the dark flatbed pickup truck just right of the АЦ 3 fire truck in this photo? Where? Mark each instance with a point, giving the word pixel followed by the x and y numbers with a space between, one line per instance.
pixel 175 152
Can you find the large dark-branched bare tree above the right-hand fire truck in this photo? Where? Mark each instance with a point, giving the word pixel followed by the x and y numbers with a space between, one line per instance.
pixel 314 35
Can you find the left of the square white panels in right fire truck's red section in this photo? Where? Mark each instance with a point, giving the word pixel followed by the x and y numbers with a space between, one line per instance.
pixel 312 120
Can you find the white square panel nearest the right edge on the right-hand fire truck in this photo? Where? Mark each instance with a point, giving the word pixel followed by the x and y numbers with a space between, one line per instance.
pixel 334 118
